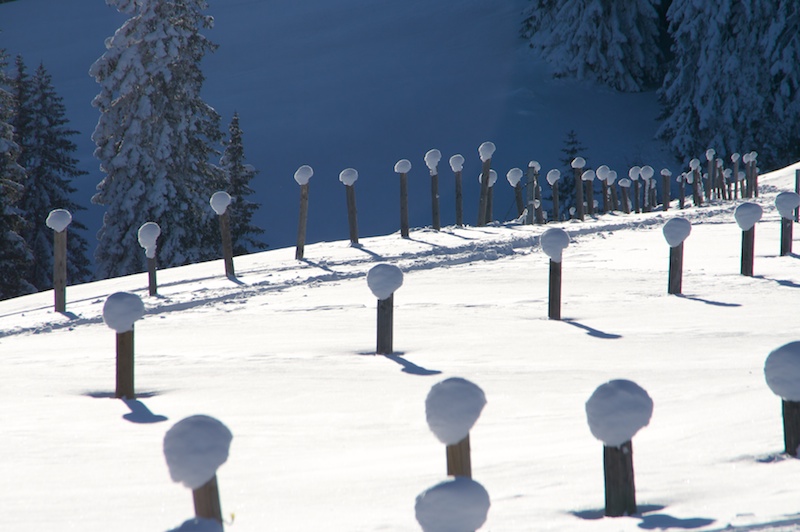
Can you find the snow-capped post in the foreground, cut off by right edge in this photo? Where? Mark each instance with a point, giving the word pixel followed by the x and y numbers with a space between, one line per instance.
pixel 782 372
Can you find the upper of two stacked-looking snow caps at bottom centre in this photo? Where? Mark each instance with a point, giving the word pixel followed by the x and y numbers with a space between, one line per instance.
pixel 452 407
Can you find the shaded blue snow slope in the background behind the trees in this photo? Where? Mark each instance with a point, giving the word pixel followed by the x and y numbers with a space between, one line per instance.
pixel 362 84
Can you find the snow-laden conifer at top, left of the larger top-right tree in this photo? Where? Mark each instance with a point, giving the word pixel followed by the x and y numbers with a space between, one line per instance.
pixel 615 43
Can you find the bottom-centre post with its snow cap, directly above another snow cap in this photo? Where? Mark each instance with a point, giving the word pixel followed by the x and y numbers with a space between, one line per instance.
pixel 451 408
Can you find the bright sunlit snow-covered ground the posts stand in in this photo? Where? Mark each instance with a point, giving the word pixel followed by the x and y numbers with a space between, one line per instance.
pixel 329 436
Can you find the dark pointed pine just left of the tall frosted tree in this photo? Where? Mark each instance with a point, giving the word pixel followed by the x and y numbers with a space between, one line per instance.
pixel 42 133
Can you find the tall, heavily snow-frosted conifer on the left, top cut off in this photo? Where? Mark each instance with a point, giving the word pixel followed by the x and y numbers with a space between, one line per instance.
pixel 155 137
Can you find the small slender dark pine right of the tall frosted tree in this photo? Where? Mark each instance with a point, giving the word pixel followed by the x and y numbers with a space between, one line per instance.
pixel 238 174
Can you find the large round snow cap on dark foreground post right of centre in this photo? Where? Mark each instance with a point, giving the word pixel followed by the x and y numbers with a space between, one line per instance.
pixel 617 410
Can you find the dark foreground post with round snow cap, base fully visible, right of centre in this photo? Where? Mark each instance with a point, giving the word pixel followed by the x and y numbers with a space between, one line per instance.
pixel 616 411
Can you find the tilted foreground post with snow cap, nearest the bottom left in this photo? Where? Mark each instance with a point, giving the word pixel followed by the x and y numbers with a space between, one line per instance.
pixel 194 448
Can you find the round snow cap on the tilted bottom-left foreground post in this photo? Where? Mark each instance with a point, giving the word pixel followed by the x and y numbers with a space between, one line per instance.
pixel 194 448
